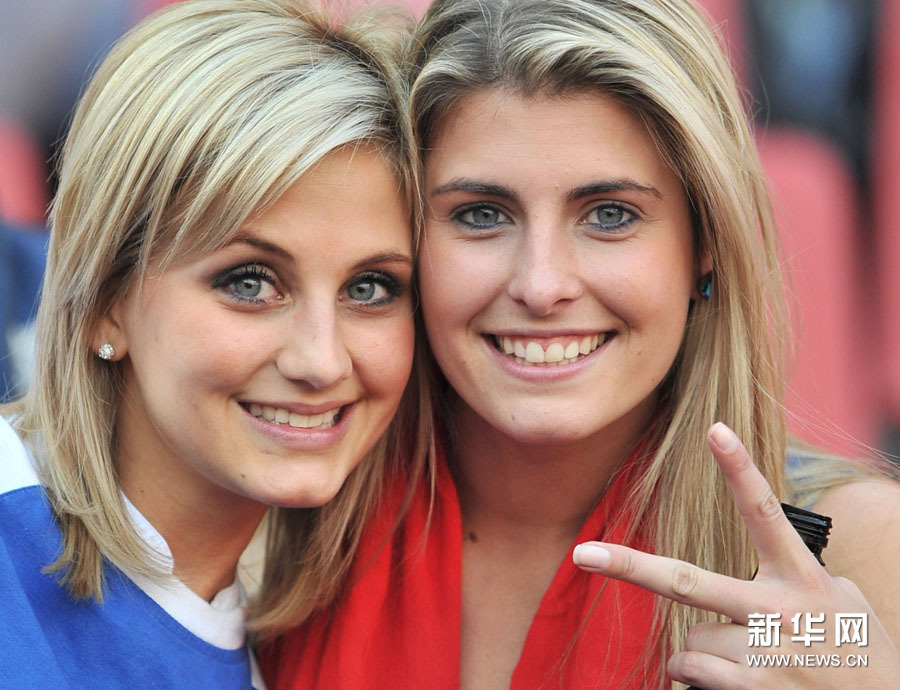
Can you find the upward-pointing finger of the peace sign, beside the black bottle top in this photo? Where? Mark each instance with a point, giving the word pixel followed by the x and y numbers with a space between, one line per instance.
pixel 778 545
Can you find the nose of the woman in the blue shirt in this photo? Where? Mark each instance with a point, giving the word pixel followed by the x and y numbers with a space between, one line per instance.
pixel 314 352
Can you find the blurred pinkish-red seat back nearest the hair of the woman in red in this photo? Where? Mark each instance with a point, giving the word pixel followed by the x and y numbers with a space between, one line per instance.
pixel 830 399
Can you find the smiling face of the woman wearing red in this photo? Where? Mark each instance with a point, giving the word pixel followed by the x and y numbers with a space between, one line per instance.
pixel 558 264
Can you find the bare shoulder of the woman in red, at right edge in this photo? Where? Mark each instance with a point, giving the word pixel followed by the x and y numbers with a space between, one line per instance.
pixel 863 542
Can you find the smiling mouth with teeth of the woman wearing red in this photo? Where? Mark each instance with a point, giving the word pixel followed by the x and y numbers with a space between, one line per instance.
pixel 543 356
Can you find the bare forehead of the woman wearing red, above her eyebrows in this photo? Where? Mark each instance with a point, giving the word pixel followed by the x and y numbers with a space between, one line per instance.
pixel 576 134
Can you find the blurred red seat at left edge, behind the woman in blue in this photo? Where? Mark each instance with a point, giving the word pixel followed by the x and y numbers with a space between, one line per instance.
pixel 23 176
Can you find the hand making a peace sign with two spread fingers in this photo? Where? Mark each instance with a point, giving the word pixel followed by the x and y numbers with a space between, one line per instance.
pixel 789 581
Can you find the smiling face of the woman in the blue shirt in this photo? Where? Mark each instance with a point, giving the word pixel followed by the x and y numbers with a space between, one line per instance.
pixel 268 368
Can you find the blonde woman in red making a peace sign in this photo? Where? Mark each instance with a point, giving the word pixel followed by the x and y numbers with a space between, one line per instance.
pixel 599 285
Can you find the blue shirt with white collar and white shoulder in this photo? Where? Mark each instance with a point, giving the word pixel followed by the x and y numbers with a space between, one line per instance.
pixel 48 640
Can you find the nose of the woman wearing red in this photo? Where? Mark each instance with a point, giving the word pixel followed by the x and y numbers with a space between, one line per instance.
pixel 545 272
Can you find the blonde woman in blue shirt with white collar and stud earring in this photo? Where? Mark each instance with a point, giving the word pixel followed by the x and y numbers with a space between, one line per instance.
pixel 226 325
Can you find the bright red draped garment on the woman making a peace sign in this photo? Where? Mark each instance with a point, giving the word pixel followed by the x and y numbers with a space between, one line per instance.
pixel 398 625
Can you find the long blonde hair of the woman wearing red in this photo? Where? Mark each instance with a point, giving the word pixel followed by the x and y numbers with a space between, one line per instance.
pixel 661 60
